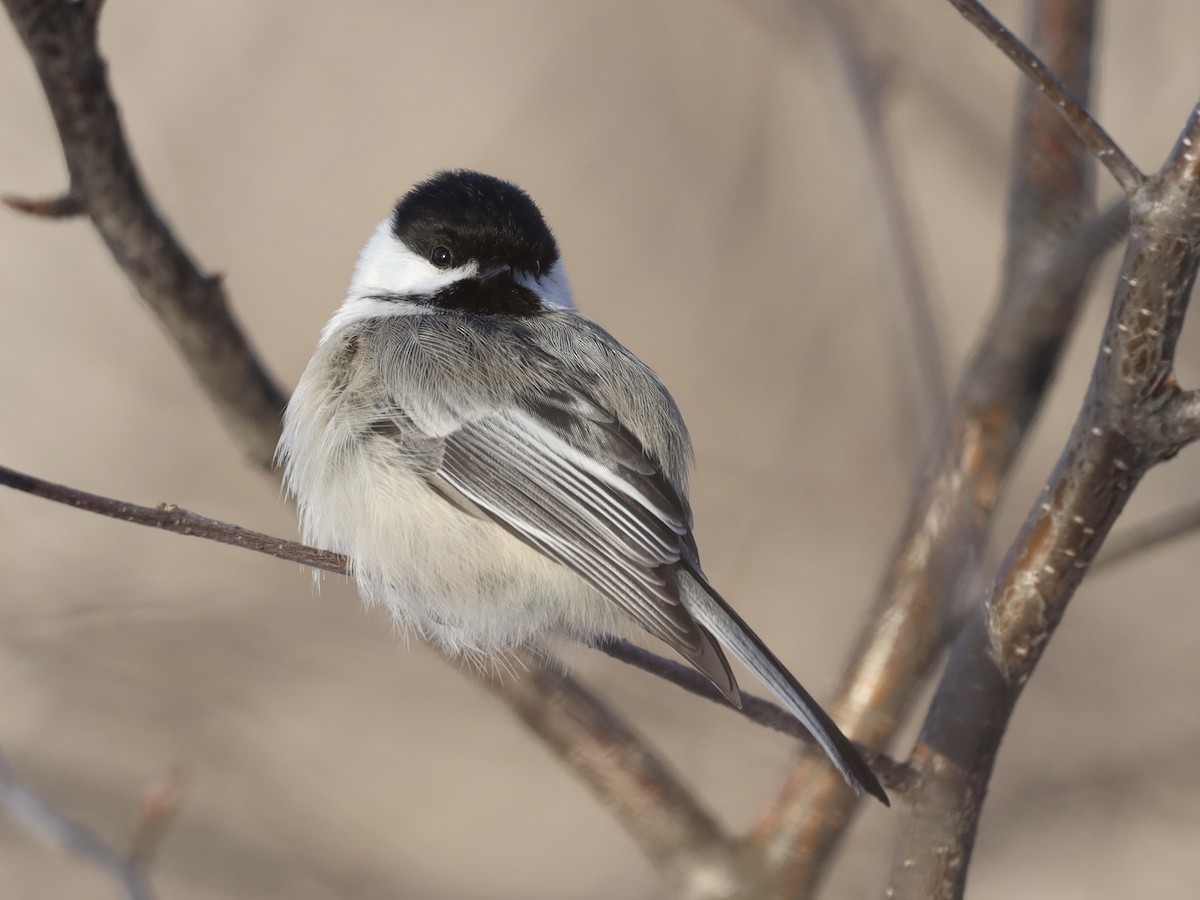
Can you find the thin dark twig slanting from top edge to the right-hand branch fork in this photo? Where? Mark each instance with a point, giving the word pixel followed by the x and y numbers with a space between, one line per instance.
pixel 1075 111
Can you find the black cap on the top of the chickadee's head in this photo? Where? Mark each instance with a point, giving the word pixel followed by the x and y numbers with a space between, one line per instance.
pixel 461 217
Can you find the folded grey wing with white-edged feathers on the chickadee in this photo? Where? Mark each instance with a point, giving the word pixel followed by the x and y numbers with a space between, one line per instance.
pixel 562 475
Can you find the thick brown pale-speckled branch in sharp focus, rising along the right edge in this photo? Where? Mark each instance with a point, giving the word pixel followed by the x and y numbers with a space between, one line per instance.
pixel 1133 418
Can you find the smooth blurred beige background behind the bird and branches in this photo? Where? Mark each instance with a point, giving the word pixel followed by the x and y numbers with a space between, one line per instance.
pixel 689 157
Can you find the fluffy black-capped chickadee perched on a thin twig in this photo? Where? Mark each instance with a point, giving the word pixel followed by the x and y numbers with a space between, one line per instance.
pixel 497 469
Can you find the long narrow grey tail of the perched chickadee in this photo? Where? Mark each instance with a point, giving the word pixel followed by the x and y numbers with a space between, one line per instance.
pixel 716 616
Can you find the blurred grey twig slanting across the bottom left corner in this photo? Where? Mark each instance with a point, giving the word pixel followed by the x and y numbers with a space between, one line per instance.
pixel 31 812
